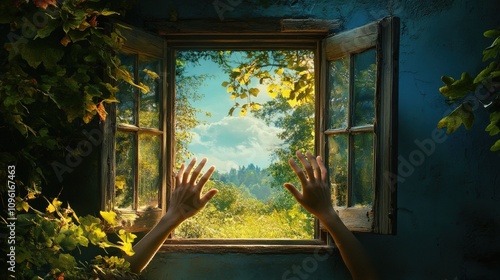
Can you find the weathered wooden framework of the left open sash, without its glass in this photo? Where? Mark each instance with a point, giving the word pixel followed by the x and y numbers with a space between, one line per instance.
pixel 138 43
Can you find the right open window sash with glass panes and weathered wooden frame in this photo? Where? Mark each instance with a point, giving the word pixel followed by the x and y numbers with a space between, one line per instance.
pixel 359 124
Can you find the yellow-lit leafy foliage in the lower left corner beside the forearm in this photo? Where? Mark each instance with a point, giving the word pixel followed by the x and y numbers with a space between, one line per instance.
pixel 48 244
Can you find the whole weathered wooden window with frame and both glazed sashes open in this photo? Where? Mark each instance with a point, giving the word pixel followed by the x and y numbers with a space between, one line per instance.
pixel 355 99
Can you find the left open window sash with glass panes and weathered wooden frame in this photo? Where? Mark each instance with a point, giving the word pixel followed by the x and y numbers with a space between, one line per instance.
pixel 134 151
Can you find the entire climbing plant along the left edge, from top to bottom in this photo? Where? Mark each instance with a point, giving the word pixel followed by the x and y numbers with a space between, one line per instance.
pixel 59 67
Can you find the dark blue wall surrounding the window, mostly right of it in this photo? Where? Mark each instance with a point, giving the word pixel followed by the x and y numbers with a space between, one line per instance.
pixel 448 225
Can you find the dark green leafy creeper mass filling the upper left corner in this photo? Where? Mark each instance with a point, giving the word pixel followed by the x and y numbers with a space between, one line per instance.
pixel 59 68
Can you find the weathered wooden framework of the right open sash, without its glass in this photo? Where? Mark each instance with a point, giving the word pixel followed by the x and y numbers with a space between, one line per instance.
pixel 384 37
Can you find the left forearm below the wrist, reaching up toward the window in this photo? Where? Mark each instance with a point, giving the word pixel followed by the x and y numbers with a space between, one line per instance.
pixel 147 247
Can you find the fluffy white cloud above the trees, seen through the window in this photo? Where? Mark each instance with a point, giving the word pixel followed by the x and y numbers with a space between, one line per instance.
pixel 235 141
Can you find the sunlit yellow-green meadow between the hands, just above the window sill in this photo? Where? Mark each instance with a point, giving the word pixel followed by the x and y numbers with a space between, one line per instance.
pixel 235 213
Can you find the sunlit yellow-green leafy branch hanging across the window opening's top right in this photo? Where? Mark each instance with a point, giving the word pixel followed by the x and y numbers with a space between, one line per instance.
pixel 285 73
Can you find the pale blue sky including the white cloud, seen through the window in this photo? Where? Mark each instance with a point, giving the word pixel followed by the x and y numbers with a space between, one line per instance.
pixel 229 141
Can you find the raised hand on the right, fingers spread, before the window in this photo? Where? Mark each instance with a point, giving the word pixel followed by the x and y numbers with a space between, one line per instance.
pixel 316 193
